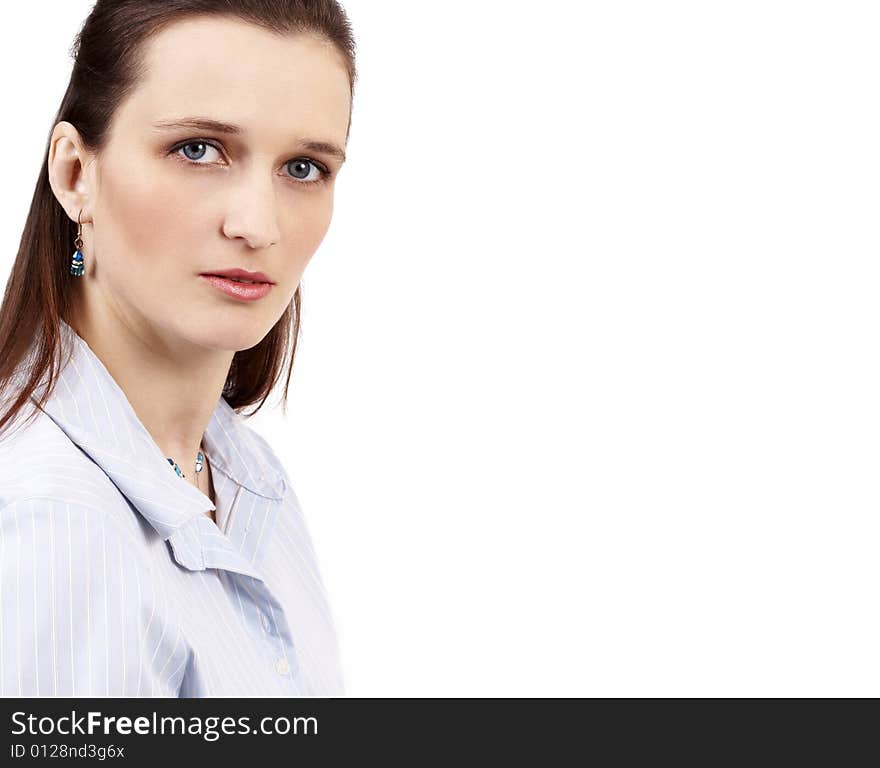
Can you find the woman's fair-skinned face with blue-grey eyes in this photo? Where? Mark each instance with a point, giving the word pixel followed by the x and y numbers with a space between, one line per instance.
pixel 171 203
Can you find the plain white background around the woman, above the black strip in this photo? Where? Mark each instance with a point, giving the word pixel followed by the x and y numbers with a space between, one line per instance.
pixel 587 401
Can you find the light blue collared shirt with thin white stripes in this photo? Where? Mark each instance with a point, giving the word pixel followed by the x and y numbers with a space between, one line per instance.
pixel 115 582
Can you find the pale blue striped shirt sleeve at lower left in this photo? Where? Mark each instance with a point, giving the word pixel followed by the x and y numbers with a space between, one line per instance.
pixel 80 613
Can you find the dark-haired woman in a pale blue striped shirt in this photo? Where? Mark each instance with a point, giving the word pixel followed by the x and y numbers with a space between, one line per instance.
pixel 151 543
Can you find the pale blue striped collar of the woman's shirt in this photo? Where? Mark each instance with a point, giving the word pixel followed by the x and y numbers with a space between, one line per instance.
pixel 94 412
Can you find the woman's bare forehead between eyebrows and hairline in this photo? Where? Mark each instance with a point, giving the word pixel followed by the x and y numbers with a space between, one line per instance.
pixel 271 85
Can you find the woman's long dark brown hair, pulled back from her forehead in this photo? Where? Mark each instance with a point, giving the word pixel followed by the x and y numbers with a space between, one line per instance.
pixel 108 62
